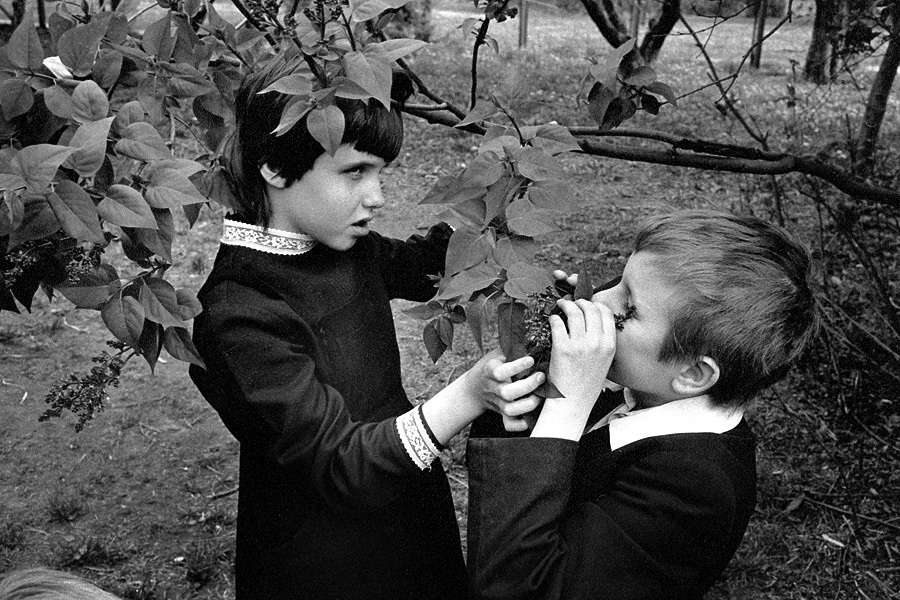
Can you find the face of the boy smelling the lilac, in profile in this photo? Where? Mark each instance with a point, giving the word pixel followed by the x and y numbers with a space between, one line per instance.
pixel 636 364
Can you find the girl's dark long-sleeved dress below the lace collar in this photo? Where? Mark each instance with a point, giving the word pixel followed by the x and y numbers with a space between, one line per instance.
pixel 304 369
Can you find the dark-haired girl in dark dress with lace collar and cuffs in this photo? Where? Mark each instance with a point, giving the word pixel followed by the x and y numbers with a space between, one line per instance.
pixel 339 497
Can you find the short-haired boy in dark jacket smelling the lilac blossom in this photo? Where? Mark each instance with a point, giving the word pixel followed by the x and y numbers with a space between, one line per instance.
pixel 652 499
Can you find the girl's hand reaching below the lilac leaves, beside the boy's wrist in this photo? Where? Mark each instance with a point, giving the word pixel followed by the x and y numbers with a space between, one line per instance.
pixel 499 393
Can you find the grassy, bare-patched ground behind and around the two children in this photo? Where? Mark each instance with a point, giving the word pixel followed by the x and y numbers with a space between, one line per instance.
pixel 143 500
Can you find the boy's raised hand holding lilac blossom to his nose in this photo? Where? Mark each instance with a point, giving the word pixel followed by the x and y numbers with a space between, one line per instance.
pixel 583 349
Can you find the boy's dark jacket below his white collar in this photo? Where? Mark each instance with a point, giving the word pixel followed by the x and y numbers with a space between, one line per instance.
pixel 656 519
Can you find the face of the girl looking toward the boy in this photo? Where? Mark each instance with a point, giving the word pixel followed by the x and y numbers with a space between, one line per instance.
pixel 334 201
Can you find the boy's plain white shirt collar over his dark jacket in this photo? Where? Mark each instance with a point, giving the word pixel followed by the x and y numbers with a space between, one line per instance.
pixel 690 415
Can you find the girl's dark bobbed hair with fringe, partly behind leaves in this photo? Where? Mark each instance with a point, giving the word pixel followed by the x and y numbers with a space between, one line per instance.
pixel 368 127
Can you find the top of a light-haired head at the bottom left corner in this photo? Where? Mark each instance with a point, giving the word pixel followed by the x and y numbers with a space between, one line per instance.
pixel 47 584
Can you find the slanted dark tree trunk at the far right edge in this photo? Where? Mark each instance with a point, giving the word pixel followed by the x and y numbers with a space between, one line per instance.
pixel 867 139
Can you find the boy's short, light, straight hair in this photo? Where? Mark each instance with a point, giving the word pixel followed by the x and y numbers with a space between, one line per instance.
pixel 744 296
